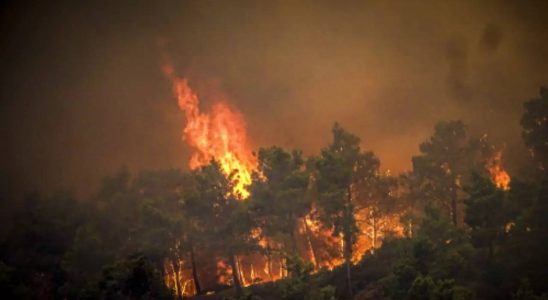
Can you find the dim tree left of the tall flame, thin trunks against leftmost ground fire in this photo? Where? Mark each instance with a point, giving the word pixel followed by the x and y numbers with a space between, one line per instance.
pixel 163 222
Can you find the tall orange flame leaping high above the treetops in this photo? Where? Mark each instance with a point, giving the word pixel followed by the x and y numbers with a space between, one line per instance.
pixel 219 134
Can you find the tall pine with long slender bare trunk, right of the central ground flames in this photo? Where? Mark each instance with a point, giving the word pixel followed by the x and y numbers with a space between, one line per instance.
pixel 341 167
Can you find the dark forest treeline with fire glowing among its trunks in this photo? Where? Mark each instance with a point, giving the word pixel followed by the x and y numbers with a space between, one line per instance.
pixel 459 235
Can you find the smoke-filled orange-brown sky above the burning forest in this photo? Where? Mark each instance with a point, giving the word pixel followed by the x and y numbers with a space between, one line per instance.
pixel 83 94
